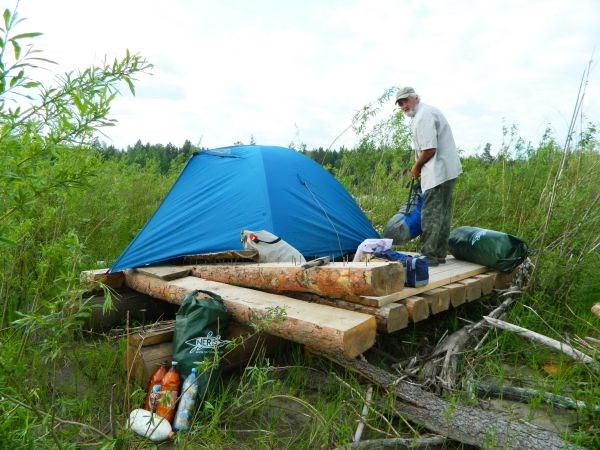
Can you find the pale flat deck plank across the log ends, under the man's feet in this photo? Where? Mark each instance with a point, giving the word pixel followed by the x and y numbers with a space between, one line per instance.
pixel 454 270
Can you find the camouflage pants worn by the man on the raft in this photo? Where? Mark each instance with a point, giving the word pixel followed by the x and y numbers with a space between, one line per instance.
pixel 436 216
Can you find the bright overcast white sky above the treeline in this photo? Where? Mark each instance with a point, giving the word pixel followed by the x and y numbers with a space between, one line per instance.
pixel 296 71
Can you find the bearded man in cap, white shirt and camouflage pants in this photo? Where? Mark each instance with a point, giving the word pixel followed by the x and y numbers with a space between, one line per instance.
pixel 438 165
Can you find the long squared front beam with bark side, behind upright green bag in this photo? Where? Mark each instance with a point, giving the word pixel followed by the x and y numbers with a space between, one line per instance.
pixel 328 329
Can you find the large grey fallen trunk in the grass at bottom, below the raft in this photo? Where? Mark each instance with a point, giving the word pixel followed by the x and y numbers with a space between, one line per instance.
pixel 465 424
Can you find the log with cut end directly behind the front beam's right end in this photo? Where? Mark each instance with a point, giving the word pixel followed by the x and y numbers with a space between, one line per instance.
pixel 391 317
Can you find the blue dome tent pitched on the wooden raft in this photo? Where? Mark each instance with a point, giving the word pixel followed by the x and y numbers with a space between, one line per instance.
pixel 224 191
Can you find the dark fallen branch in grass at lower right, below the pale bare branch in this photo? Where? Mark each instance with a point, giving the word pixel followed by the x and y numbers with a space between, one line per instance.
pixel 526 394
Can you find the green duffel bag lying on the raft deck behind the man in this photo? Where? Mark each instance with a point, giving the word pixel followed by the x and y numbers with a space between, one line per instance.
pixel 494 249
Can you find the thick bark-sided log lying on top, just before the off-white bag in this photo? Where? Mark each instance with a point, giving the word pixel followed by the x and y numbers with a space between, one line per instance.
pixel 346 281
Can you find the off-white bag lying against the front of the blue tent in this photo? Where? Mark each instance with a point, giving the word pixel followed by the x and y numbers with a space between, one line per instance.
pixel 270 248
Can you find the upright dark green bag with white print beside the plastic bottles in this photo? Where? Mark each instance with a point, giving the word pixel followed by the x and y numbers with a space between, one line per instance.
pixel 199 325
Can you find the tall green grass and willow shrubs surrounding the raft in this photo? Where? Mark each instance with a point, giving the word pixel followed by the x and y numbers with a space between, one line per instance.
pixel 68 203
